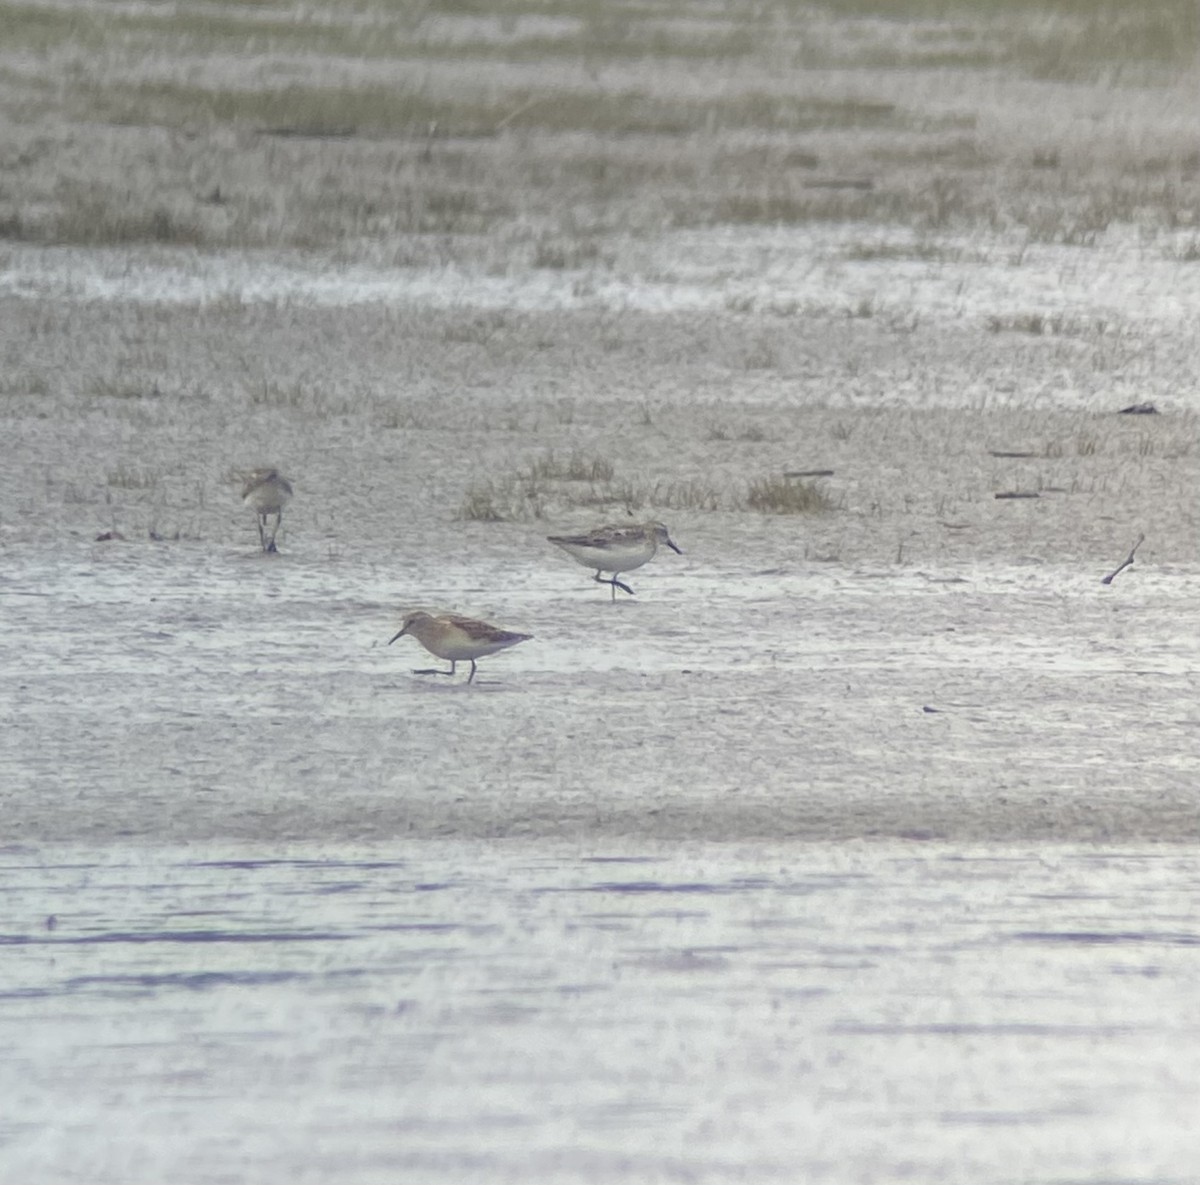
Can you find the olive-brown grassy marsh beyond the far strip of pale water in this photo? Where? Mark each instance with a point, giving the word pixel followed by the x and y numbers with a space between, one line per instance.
pixel 496 134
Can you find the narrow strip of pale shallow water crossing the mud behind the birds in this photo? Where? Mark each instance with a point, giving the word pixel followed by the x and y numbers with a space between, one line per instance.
pixel 776 272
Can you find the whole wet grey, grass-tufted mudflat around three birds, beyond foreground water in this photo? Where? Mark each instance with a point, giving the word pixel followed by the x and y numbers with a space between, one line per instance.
pixel 829 293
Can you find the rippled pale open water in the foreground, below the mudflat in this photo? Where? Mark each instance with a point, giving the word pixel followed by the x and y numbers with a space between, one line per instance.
pixel 513 1012
